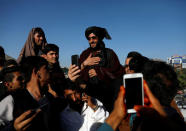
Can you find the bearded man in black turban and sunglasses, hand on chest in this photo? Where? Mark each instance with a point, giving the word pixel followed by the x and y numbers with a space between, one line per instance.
pixel 100 67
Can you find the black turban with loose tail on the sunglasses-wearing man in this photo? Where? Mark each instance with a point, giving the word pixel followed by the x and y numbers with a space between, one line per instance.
pixel 98 31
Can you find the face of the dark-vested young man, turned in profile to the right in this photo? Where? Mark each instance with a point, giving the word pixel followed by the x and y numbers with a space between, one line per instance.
pixel 43 76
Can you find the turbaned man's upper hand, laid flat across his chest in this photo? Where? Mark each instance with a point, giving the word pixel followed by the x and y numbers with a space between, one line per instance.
pixel 91 61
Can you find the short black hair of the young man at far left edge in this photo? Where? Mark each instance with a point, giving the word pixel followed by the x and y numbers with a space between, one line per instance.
pixel 7 73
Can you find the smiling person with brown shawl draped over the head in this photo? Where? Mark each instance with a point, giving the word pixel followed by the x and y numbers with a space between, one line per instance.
pixel 34 44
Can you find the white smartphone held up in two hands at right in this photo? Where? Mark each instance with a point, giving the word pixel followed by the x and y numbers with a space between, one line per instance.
pixel 133 84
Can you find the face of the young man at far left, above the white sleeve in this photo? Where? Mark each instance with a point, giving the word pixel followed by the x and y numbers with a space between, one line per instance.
pixel 16 83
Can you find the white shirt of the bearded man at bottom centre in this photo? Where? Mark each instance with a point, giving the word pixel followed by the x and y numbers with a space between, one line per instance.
pixel 88 120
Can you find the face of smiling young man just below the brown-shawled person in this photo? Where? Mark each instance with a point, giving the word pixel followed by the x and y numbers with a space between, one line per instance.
pixel 52 57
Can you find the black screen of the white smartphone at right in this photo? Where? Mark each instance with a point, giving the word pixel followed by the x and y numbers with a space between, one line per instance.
pixel 134 94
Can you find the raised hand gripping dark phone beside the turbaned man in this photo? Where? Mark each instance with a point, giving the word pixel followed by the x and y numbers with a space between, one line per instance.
pixel 73 72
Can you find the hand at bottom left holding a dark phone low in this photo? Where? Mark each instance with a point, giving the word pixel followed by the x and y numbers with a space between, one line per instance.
pixel 22 122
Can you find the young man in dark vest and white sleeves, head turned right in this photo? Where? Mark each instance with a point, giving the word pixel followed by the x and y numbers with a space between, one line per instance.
pixel 30 108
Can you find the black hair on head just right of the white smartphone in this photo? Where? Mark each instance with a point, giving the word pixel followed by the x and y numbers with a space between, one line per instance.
pixel 162 80
